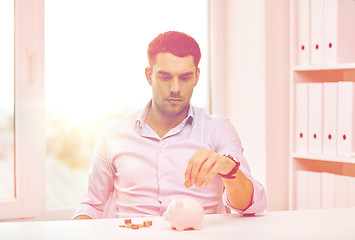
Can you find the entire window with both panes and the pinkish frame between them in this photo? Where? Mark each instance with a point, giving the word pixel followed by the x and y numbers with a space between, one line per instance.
pixel 94 65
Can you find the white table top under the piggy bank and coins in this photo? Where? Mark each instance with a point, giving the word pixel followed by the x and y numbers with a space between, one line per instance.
pixel 335 224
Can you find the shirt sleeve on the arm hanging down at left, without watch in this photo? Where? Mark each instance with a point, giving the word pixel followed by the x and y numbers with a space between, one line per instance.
pixel 100 185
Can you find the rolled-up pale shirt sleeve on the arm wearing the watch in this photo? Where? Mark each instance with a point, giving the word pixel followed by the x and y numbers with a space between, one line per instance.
pixel 230 144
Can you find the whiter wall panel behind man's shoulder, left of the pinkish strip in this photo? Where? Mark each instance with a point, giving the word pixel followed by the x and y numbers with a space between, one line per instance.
pixel 247 79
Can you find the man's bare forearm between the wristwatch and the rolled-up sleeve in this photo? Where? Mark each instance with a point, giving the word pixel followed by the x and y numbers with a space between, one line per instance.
pixel 239 190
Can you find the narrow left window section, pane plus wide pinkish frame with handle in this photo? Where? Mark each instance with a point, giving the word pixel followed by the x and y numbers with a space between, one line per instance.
pixel 22 80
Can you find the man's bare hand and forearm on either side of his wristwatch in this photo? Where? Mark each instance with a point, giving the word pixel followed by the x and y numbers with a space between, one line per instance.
pixel 205 164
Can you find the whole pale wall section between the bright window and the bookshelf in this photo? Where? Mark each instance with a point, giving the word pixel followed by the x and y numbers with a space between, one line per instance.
pixel 243 76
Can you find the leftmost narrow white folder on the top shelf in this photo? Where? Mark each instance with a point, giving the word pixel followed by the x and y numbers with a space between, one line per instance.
pixel 302 22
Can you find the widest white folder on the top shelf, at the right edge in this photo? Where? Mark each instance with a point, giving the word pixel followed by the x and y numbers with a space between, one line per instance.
pixel 339 34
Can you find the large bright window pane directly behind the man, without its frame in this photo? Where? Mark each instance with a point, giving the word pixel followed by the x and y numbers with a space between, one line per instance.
pixel 95 60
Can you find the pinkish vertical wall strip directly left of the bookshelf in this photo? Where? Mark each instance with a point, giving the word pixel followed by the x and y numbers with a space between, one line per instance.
pixel 277 102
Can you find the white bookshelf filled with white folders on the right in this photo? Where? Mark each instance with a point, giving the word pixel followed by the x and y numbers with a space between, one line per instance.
pixel 305 71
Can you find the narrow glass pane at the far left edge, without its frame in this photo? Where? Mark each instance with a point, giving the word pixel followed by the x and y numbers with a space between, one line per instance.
pixel 7 160
